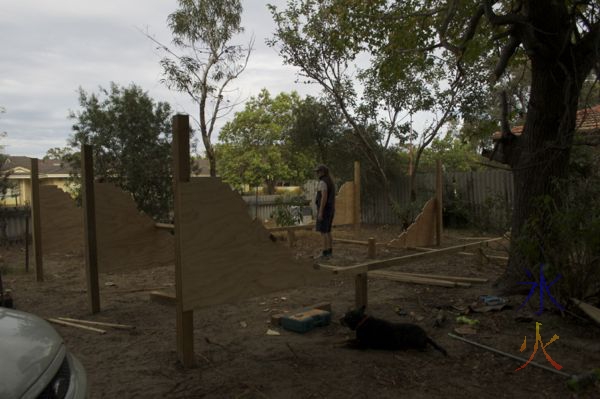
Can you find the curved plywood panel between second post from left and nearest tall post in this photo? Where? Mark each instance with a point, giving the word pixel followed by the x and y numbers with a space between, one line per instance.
pixel 126 238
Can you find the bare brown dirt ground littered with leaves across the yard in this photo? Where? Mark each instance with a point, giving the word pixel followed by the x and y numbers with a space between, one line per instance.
pixel 236 359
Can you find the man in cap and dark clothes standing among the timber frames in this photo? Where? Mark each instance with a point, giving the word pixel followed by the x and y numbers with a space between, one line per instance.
pixel 325 208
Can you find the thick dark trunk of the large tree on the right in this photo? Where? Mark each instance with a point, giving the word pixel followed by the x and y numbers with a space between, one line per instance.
pixel 540 154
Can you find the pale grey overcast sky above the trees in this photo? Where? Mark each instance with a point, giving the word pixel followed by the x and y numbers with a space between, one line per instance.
pixel 51 48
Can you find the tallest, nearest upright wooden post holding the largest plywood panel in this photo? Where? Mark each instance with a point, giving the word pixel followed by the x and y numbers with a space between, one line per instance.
pixel 181 174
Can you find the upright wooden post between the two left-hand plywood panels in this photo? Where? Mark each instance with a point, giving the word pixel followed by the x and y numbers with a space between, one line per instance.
pixel 89 227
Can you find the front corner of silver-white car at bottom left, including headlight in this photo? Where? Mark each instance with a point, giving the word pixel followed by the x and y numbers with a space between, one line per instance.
pixel 34 362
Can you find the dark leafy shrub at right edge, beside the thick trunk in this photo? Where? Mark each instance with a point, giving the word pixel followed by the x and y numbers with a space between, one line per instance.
pixel 563 233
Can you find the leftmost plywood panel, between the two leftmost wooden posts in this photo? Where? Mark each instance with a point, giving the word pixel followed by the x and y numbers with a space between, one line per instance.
pixel 62 222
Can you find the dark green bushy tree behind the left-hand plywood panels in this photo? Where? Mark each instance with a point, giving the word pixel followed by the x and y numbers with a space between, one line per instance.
pixel 131 139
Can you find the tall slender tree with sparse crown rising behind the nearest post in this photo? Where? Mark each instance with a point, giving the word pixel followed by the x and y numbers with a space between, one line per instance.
pixel 205 62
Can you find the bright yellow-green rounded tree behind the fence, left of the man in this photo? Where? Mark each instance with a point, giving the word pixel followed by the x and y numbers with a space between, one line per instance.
pixel 255 145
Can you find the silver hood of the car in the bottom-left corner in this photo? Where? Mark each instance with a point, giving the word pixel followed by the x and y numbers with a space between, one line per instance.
pixel 28 344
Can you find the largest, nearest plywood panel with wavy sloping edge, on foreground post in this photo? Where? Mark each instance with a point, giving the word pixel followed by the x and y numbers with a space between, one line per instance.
pixel 225 255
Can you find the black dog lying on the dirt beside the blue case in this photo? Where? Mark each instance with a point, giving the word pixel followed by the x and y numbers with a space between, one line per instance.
pixel 380 334
